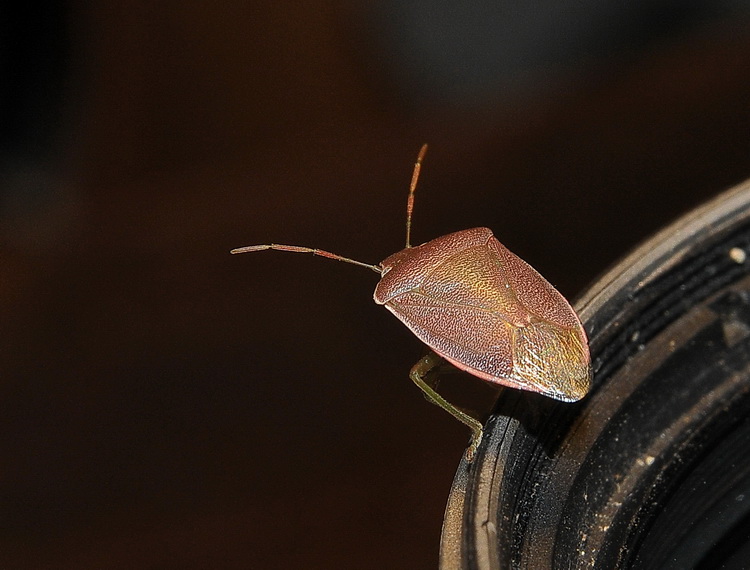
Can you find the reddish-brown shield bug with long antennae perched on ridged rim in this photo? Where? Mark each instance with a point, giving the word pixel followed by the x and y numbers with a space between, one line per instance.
pixel 482 309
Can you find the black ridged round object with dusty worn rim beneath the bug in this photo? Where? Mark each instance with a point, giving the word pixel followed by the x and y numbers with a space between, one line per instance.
pixel 652 468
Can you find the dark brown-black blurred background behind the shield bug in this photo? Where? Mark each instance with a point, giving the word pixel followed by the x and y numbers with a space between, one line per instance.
pixel 166 405
